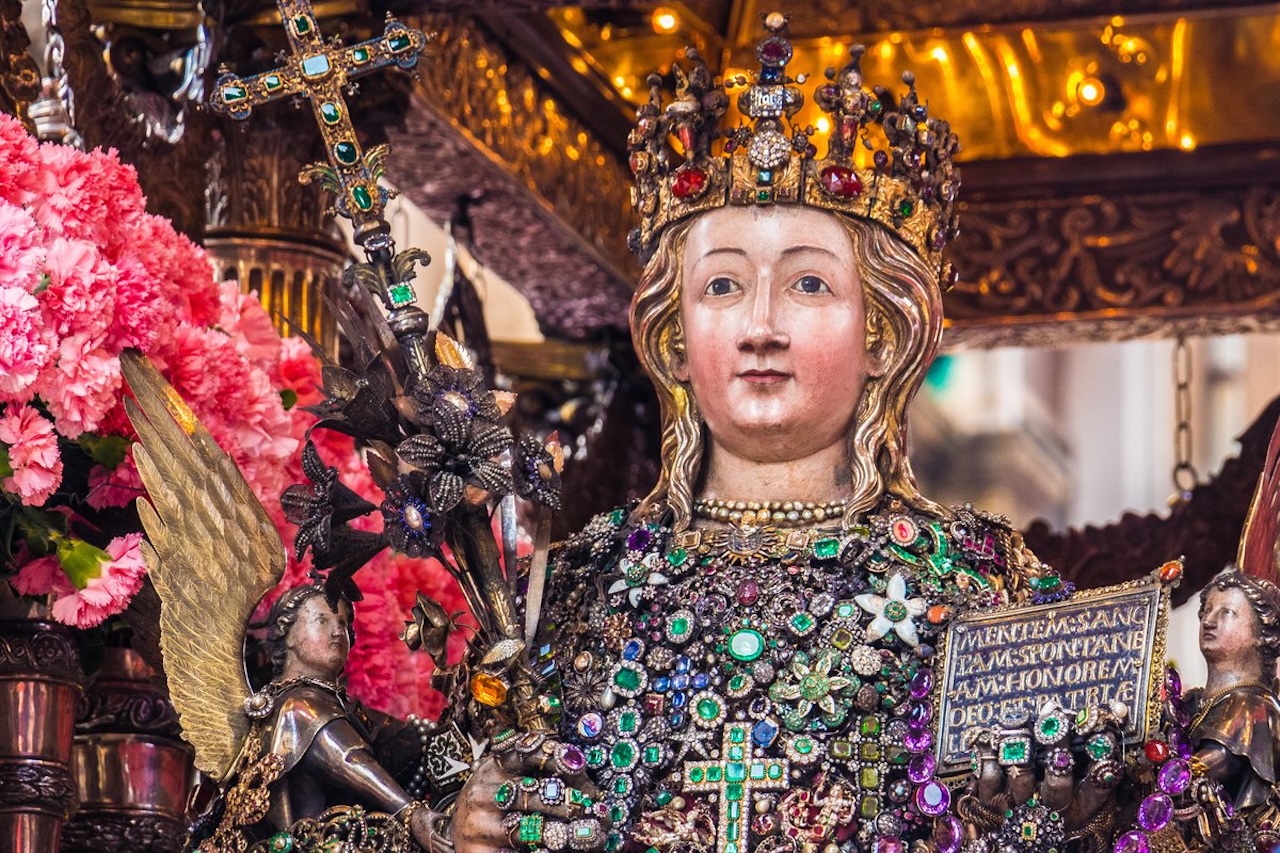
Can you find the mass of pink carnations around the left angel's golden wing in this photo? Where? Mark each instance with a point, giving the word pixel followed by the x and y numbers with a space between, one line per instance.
pixel 86 273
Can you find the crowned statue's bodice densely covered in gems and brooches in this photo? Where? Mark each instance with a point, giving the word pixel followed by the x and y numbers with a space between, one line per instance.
pixel 770 690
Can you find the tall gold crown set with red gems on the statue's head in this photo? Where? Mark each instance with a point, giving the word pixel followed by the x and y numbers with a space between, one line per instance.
pixel 911 188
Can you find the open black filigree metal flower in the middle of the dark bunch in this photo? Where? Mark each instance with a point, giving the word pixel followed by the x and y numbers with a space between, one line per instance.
pixel 460 453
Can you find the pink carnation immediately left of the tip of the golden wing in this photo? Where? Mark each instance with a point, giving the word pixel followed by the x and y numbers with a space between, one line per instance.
pixel 81 387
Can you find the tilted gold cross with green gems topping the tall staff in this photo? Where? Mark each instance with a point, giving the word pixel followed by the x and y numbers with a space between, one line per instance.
pixel 321 71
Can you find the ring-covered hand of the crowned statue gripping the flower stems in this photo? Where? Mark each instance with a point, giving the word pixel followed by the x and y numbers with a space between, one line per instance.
pixel 529 788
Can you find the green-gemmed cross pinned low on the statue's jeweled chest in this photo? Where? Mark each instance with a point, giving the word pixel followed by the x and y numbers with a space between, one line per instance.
pixel 735 777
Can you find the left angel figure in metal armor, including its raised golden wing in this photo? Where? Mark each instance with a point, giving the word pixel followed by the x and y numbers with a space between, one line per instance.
pixel 298 760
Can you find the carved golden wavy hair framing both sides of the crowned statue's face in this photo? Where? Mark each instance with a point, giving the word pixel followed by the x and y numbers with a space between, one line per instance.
pixel 904 330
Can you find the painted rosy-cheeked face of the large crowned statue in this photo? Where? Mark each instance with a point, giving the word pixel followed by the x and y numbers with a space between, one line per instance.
pixel 775 332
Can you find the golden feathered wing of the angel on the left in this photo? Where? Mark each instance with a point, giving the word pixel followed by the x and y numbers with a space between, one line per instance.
pixel 213 554
